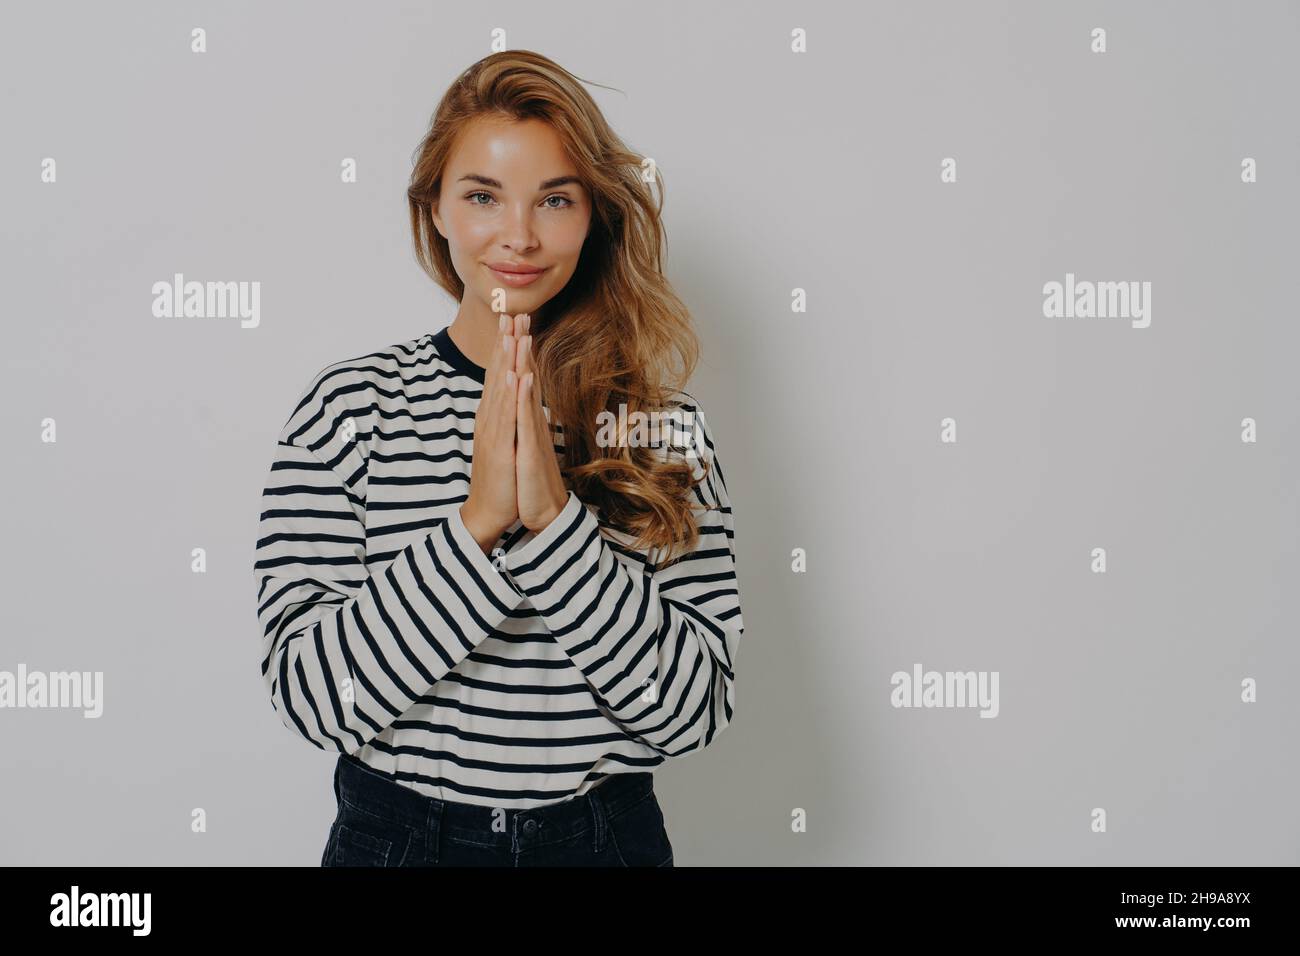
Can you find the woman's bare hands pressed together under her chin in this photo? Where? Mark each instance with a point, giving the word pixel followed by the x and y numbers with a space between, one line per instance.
pixel 515 474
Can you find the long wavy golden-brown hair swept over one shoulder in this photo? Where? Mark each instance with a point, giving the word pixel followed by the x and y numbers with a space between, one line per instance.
pixel 617 334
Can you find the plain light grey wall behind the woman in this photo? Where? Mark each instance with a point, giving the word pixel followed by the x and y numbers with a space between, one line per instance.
pixel 816 171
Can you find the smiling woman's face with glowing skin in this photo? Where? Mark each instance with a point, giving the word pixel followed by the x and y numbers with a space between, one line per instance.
pixel 510 197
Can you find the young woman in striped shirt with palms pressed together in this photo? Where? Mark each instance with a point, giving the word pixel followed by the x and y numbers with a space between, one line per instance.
pixel 480 581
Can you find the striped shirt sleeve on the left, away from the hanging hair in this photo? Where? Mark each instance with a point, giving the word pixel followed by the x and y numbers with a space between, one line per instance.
pixel 346 648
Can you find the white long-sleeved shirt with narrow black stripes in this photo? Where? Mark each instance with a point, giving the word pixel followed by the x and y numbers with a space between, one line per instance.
pixel 517 680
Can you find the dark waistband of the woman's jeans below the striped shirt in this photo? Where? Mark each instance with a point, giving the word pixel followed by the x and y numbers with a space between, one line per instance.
pixel 370 791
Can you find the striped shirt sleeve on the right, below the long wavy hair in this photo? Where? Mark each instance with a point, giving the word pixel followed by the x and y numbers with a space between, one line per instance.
pixel 657 646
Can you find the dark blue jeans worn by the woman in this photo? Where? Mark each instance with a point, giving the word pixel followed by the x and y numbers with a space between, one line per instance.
pixel 383 823
